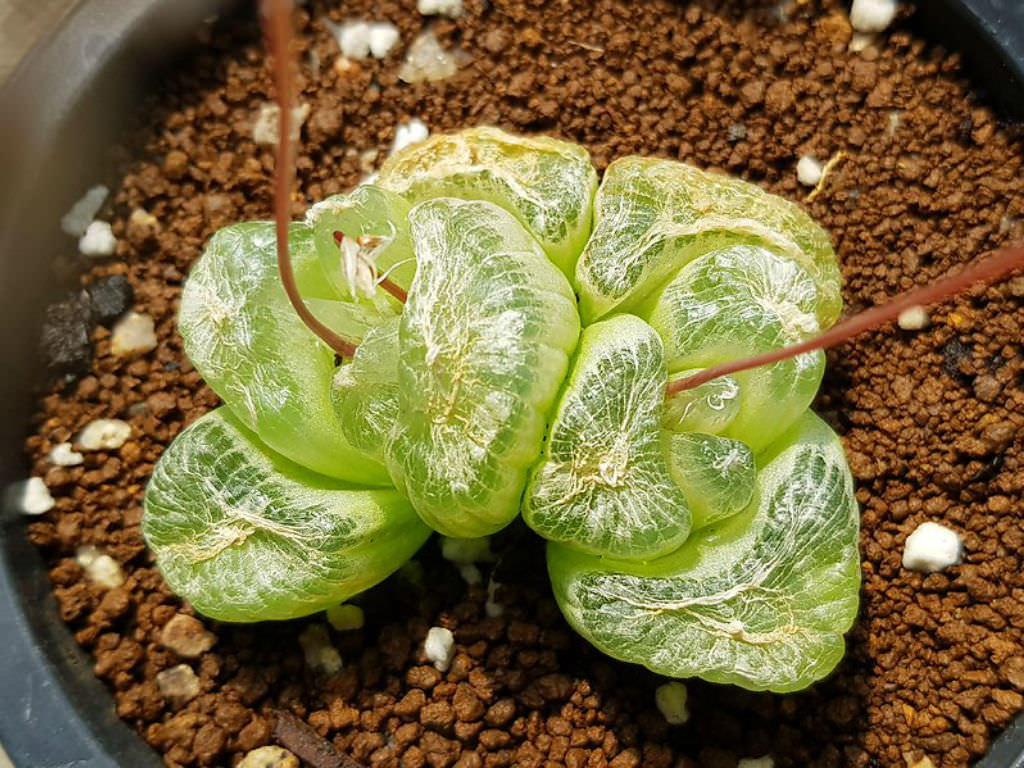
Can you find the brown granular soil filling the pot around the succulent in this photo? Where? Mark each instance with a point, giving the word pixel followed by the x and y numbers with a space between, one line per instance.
pixel 932 420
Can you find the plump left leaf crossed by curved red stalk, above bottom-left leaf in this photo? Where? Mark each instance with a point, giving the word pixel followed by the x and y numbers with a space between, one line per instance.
pixel 244 337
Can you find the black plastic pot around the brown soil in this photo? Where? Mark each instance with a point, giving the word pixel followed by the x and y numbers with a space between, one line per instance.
pixel 60 114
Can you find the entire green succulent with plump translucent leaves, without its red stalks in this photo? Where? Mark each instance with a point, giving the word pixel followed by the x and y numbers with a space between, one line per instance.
pixel 710 534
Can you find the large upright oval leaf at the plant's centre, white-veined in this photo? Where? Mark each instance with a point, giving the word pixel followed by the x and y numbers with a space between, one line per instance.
pixel 485 339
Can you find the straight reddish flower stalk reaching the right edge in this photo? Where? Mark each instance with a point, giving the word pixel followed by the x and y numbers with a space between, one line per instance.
pixel 990 271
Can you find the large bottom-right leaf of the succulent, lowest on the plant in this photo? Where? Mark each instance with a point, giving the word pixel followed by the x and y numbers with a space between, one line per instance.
pixel 760 601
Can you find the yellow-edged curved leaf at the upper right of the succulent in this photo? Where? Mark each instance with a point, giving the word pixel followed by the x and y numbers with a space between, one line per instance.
pixel 654 217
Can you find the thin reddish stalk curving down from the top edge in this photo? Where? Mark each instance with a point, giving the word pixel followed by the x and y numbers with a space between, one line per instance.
pixel 278 27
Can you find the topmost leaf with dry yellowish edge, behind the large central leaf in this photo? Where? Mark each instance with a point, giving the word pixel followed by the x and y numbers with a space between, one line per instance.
pixel 546 184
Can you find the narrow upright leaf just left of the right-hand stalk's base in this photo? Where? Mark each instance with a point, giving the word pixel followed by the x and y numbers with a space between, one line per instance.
pixel 603 485
